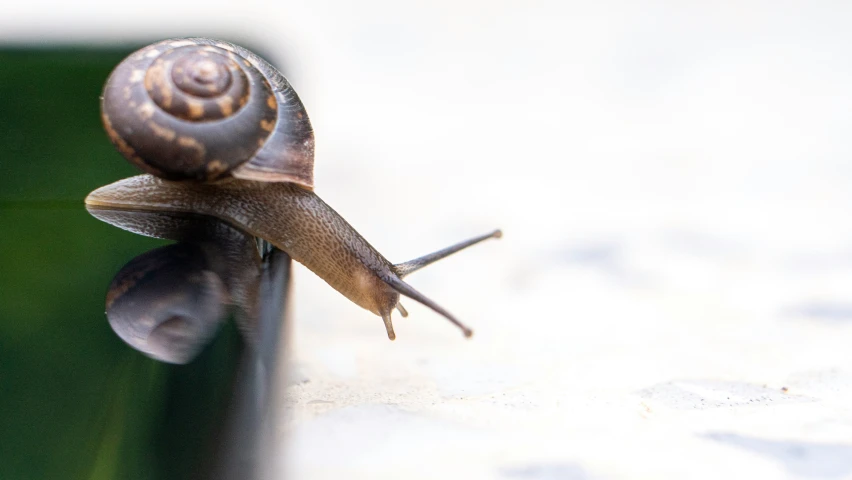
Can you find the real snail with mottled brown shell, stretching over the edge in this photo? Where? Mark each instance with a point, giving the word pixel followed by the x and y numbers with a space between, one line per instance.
pixel 222 133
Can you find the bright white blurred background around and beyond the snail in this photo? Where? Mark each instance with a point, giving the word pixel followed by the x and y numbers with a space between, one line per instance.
pixel 673 294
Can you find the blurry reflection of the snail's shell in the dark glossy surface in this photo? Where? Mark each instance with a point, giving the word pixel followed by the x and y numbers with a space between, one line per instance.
pixel 166 303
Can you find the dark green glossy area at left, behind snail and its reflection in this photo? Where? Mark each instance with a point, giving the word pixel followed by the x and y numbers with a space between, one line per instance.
pixel 76 401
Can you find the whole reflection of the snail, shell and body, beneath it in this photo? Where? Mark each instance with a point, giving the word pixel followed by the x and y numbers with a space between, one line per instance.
pixel 169 302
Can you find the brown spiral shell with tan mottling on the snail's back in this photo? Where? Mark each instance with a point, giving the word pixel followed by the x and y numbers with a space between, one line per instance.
pixel 203 109
